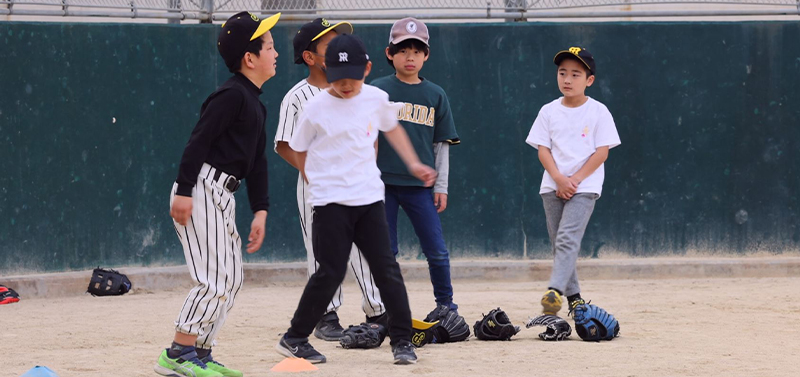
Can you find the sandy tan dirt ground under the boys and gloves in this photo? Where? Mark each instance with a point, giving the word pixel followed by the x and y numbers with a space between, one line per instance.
pixel 681 327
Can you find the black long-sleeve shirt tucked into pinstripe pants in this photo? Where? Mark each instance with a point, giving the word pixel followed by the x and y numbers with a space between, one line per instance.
pixel 230 136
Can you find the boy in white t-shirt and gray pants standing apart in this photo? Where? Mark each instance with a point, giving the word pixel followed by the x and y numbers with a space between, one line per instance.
pixel 573 135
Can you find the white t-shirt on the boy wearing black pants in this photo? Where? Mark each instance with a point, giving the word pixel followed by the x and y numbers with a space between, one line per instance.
pixel 339 136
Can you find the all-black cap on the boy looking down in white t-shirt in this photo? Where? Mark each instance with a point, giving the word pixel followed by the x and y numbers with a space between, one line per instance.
pixel 346 58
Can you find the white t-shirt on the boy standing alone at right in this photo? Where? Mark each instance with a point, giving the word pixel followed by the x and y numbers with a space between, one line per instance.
pixel 573 134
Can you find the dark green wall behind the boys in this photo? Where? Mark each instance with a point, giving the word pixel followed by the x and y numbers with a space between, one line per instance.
pixel 93 120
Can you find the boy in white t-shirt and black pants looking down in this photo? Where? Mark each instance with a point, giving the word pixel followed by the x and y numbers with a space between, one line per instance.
pixel 336 138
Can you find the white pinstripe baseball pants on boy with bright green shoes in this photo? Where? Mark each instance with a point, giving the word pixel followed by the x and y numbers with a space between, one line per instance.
pixel 213 251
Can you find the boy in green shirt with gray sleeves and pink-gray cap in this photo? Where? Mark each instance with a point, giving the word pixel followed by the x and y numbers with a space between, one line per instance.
pixel 427 119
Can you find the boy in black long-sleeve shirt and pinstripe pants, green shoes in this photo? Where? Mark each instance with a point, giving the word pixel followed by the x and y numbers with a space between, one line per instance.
pixel 226 146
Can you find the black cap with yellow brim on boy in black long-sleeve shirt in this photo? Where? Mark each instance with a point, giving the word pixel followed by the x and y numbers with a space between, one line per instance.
pixel 238 31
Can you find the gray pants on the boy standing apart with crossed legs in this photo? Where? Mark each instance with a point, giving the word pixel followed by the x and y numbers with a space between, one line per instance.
pixel 566 223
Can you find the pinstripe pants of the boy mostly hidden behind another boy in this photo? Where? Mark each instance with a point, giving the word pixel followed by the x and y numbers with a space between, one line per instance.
pixel 371 301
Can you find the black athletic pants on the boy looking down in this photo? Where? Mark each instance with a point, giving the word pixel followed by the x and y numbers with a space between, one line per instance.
pixel 335 228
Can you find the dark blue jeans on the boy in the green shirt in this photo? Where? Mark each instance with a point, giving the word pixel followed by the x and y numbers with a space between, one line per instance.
pixel 417 203
